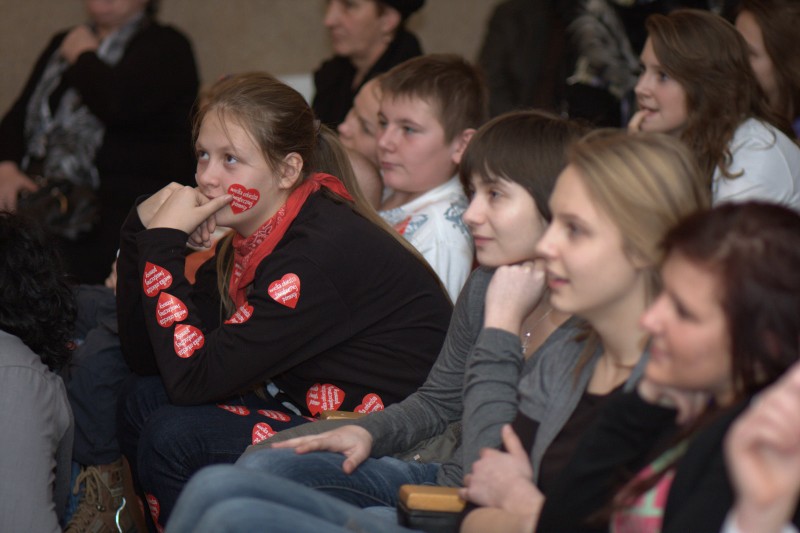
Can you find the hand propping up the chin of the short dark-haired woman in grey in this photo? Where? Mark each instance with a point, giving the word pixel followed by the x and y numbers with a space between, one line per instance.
pixel 513 293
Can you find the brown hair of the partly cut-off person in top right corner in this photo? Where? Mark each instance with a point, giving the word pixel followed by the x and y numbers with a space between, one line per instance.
pixel 778 21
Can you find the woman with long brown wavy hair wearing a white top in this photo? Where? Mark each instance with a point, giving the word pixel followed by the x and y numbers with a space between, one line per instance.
pixel 697 84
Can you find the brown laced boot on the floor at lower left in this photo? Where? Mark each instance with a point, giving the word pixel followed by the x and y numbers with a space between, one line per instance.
pixel 103 507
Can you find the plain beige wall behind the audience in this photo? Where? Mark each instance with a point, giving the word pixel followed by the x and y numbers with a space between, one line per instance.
pixel 282 36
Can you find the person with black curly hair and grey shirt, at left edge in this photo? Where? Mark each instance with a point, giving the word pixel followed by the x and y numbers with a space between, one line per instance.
pixel 37 313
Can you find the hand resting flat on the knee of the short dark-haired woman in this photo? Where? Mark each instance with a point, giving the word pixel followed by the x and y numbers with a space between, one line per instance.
pixel 354 442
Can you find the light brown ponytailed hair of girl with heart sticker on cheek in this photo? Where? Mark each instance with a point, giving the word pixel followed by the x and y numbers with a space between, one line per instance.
pixel 280 122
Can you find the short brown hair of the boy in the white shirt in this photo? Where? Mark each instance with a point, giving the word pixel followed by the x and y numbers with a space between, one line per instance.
pixel 453 88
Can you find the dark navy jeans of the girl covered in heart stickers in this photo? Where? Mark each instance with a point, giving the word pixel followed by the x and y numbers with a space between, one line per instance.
pixel 165 444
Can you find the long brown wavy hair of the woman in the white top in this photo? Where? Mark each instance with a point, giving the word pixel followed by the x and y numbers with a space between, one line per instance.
pixel 709 59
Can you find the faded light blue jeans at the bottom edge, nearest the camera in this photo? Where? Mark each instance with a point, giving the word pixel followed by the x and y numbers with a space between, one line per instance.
pixel 226 498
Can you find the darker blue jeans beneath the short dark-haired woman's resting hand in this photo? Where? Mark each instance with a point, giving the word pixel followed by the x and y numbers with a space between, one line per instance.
pixel 374 482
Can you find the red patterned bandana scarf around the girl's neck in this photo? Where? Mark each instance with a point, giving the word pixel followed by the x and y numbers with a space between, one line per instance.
pixel 250 251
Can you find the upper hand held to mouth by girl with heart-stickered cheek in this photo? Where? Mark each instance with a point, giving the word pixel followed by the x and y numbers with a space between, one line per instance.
pixel 187 209
